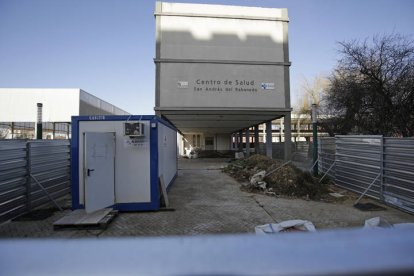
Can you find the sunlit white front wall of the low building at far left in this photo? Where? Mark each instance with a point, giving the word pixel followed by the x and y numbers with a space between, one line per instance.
pixel 19 104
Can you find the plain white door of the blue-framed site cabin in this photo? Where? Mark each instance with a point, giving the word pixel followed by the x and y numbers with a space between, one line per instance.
pixel 99 170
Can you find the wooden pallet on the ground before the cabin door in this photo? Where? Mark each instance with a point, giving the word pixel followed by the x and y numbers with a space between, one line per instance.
pixel 80 220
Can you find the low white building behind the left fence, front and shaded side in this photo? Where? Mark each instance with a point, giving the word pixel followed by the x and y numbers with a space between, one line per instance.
pixel 18 111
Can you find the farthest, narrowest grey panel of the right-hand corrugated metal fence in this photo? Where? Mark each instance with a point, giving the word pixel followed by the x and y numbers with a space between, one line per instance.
pixel 326 156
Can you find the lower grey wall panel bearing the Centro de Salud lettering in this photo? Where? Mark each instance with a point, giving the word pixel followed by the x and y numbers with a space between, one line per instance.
pixel 225 76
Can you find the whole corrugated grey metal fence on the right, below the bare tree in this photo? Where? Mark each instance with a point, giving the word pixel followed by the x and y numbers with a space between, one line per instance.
pixel 381 167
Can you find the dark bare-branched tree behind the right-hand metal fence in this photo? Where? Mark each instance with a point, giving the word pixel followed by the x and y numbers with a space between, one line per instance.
pixel 372 88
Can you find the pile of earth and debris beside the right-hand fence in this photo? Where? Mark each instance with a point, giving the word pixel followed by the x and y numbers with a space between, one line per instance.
pixel 276 177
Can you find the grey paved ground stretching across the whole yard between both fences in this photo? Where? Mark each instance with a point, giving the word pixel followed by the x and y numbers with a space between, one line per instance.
pixel 207 201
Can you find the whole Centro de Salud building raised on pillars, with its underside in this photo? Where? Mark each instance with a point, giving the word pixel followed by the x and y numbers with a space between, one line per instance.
pixel 221 70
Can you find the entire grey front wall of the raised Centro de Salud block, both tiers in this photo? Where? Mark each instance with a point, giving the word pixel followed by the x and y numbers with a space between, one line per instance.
pixel 204 50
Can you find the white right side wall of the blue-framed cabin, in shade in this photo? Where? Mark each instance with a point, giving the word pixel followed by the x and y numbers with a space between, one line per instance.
pixel 167 153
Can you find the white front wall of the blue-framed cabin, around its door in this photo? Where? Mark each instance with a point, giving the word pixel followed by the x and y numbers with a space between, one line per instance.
pixel 132 164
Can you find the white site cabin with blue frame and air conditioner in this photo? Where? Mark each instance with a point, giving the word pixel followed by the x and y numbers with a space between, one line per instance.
pixel 121 161
